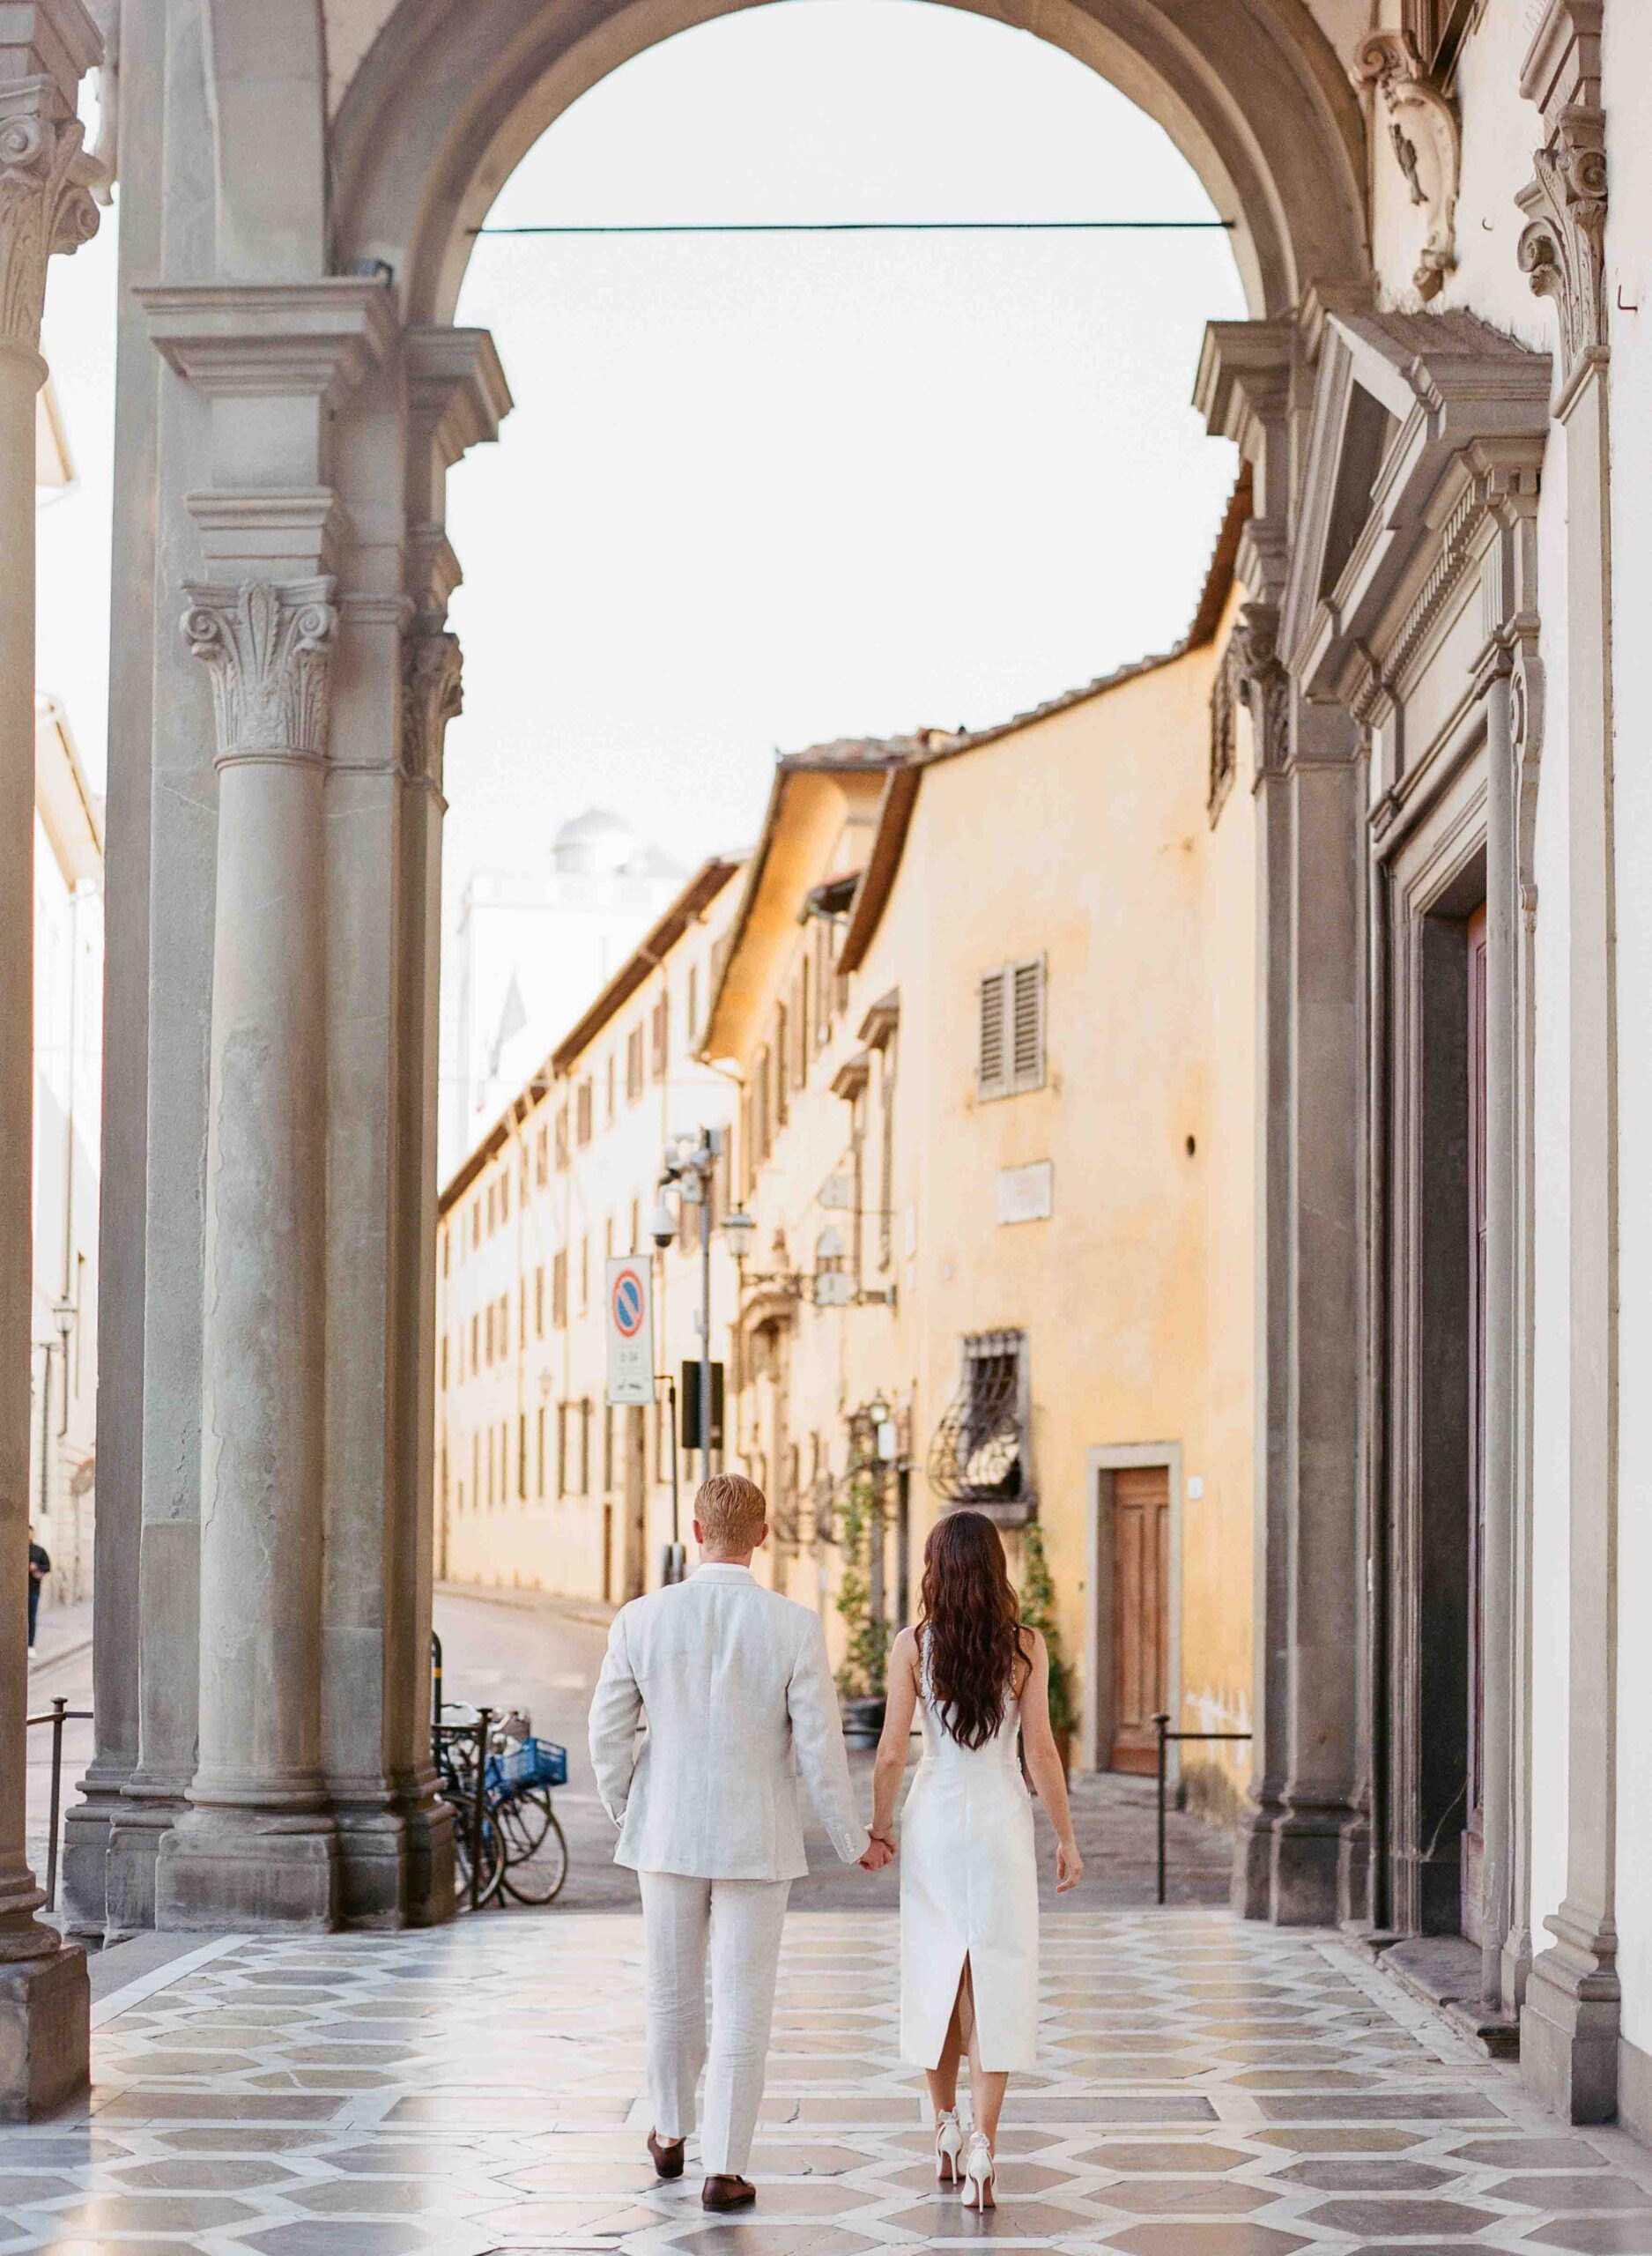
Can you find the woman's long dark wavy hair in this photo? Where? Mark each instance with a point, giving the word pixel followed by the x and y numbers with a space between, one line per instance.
pixel 969 1625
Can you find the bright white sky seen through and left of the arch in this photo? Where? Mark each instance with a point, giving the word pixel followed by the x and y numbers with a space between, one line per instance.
pixel 762 493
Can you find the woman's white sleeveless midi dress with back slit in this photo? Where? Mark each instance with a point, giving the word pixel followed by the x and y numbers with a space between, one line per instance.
pixel 969 1889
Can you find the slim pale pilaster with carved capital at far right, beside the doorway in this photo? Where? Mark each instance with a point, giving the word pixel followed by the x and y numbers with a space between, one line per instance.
pixel 1570 2023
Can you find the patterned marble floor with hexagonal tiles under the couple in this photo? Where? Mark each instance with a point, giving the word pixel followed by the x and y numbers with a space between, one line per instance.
pixel 1206 2090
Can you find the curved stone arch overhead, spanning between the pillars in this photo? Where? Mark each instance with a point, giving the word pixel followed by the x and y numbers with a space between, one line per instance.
pixel 448 103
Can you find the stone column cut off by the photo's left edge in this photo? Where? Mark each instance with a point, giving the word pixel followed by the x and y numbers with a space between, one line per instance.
pixel 44 206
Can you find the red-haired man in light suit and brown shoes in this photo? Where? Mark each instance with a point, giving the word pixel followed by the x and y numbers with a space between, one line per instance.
pixel 739 1698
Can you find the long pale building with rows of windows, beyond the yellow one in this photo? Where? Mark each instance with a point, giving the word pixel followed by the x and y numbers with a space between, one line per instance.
pixel 541 1483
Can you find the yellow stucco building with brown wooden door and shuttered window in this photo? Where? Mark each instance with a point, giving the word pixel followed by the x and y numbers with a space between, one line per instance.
pixel 992 1003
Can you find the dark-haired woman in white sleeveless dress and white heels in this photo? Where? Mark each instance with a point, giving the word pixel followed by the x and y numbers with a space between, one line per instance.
pixel 969 1871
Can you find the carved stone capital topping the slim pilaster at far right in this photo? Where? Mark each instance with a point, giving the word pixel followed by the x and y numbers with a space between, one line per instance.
pixel 1565 202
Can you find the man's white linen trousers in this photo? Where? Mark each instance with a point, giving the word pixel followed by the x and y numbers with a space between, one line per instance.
pixel 741 1925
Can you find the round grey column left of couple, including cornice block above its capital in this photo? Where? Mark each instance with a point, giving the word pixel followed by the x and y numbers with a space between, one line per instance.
pixel 272 362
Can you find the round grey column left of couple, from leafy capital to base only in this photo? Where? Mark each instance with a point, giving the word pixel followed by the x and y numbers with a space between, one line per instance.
pixel 258 1847
